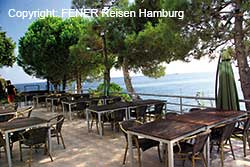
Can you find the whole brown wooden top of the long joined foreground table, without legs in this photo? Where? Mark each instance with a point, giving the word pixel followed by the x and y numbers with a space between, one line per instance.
pixel 176 126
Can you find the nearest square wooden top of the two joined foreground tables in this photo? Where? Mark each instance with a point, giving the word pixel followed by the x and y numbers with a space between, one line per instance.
pixel 166 129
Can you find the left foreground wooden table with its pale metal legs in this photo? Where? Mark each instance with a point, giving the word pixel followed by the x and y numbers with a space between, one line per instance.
pixel 22 124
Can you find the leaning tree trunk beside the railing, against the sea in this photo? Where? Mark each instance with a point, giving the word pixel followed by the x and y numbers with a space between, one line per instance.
pixel 128 80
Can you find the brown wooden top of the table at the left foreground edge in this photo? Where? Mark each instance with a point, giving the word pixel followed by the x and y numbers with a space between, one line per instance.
pixel 21 123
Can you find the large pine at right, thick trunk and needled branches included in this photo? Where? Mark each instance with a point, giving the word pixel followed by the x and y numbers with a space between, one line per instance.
pixel 218 24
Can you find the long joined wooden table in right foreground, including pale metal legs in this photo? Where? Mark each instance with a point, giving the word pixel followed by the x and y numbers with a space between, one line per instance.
pixel 176 128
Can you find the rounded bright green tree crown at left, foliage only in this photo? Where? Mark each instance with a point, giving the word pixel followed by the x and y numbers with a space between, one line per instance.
pixel 44 50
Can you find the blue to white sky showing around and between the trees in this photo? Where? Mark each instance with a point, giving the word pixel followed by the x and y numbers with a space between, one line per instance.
pixel 16 28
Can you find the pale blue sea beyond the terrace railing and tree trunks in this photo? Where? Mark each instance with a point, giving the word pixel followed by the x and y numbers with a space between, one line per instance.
pixel 183 84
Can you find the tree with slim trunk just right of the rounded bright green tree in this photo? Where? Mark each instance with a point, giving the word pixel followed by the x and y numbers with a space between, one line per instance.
pixel 85 57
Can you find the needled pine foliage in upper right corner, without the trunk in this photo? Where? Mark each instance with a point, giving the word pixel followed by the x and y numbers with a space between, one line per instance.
pixel 208 22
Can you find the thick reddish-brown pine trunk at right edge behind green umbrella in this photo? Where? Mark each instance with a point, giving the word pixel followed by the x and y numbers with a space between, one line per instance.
pixel 241 55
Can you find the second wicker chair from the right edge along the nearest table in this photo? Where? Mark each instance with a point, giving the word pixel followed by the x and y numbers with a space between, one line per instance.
pixel 219 136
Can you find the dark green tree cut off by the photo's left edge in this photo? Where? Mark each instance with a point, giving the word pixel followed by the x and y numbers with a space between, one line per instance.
pixel 7 46
